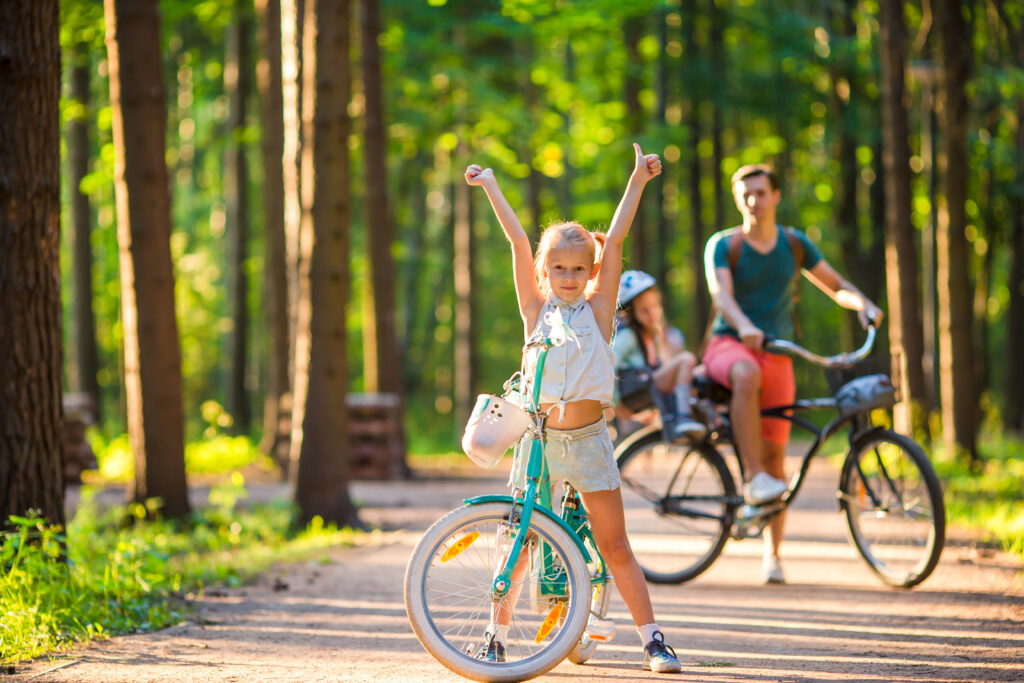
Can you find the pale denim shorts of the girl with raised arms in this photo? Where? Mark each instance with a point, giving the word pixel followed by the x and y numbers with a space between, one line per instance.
pixel 584 457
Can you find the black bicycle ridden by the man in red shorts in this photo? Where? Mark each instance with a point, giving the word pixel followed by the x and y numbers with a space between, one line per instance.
pixel 684 504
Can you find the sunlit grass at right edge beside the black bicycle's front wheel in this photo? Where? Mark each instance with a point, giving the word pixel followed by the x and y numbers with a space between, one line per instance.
pixel 989 500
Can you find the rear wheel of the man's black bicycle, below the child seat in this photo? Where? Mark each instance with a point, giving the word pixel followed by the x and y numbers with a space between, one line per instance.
pixel 680 501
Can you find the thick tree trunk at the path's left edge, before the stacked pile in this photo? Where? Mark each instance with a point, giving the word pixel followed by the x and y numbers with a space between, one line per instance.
pixel 320 436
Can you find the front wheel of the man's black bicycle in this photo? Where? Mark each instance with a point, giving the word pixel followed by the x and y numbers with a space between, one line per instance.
pixel 892 500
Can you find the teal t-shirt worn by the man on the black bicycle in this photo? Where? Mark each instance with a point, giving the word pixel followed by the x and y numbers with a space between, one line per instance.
pixel 762 284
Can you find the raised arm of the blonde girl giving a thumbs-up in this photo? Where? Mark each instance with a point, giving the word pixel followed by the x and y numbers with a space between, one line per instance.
pixel 604 298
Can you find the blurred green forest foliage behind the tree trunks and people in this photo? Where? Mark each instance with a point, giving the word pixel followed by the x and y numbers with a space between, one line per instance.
pixel 538 87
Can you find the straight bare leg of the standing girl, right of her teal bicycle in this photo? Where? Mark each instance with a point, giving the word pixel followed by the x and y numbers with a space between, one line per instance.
pixel 608 522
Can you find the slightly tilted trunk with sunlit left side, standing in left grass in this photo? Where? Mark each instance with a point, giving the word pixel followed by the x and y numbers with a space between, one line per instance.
pixel 153 355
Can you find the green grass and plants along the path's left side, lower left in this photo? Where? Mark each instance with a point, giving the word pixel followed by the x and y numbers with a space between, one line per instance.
pixel 116 572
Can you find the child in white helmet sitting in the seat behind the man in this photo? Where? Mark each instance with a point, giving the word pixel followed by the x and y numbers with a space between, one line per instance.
pixel 647 343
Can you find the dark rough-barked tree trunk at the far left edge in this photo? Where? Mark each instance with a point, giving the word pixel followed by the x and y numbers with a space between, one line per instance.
pixel 31 441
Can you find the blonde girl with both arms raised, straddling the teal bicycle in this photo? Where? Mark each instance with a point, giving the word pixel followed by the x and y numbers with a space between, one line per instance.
pixel 575 279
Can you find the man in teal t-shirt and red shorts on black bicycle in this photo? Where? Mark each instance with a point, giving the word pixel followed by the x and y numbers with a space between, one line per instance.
pixel 751 276
